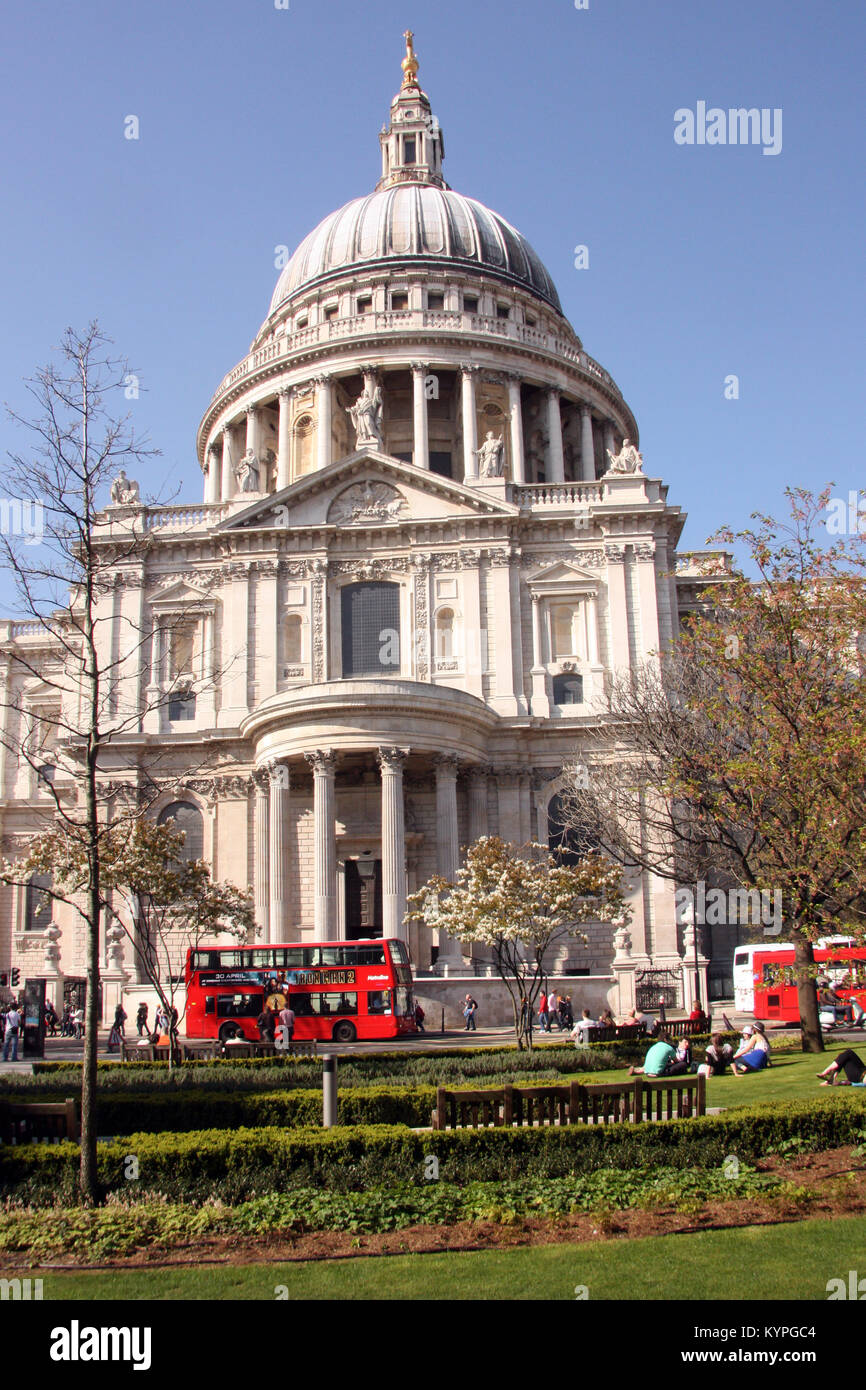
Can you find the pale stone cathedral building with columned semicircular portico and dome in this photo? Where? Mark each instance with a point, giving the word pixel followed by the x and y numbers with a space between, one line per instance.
pixel 418 439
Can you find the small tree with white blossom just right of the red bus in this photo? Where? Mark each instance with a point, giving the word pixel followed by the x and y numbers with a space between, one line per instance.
pixel 521 903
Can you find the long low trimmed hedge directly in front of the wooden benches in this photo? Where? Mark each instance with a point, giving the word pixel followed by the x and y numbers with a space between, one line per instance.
pixel 237 1166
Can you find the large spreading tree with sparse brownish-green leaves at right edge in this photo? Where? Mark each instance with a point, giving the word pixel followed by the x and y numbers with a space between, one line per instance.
pixel 743 751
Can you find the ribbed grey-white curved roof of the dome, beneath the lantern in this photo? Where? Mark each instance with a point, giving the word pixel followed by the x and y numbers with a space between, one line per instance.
pixel 415 222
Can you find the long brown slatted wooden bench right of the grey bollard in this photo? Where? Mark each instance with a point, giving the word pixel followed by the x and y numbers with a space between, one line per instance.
pixel 642 1099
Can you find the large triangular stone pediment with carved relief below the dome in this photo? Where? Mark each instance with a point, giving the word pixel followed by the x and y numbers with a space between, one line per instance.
pixel 369 489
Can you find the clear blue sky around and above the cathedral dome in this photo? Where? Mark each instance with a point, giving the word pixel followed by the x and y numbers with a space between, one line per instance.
pixel 255 123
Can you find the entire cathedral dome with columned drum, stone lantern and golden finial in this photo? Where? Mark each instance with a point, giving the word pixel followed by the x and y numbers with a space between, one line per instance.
pixel 412 266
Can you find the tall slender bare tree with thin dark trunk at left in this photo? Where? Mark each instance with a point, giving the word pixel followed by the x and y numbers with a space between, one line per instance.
pixel 90 687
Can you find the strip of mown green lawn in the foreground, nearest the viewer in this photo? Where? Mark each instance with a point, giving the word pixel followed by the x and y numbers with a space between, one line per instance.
pixel 796 1261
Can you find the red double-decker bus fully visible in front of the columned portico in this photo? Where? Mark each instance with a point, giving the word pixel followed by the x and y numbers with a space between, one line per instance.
pixel 338 990
